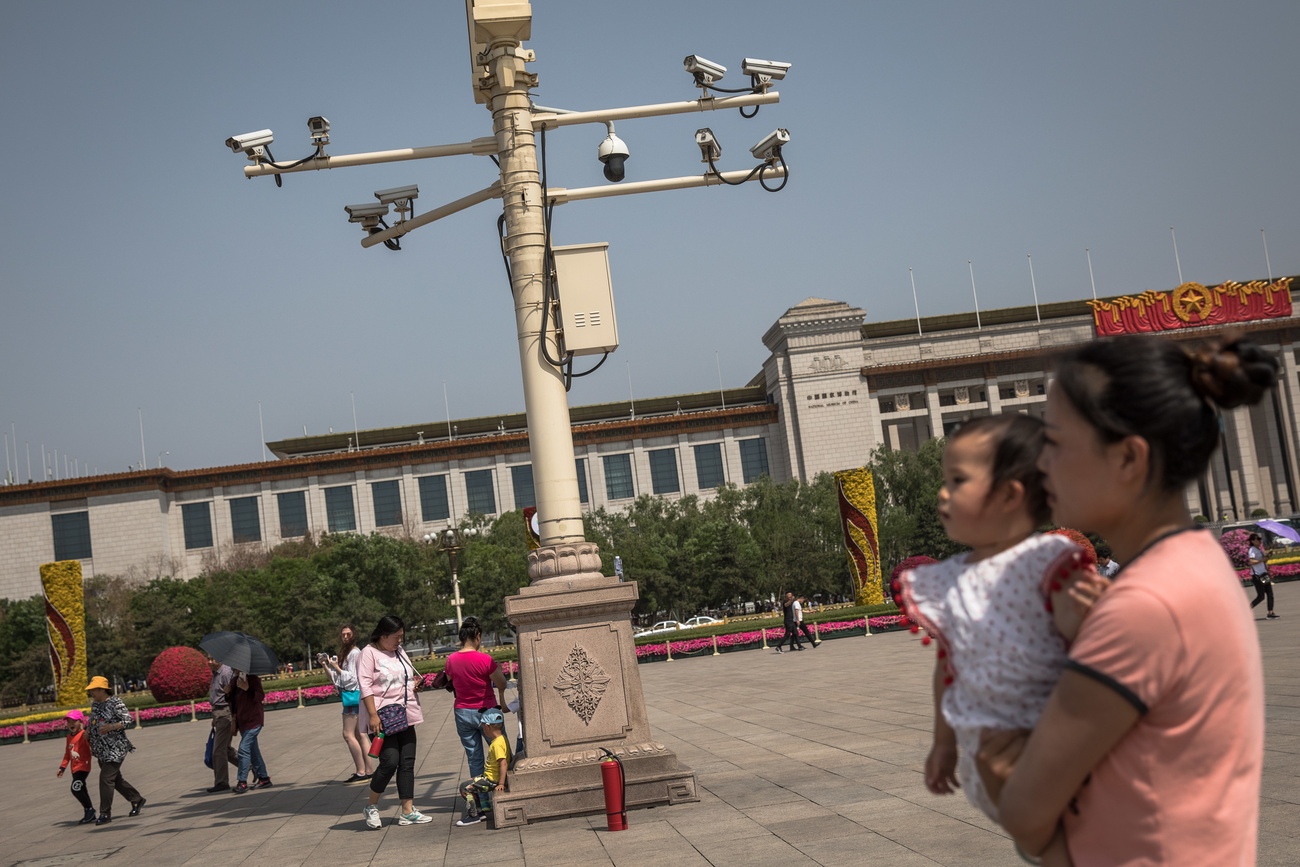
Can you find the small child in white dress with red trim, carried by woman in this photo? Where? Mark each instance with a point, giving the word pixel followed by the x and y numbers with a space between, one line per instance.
pixel 1004 613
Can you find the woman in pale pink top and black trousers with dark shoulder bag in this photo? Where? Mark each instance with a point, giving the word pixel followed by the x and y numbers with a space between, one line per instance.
pixel 387 677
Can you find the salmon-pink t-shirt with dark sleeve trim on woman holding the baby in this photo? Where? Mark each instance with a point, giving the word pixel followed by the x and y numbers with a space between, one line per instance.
pixel 1176 638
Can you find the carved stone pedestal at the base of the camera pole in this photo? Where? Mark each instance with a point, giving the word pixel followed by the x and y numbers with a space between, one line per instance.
pixel 580 691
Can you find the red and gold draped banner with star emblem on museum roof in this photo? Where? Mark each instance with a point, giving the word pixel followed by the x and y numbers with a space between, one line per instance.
pixel 1193 305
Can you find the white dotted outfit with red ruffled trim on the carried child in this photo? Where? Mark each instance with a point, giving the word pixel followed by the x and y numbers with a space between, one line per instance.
pixel 1002 651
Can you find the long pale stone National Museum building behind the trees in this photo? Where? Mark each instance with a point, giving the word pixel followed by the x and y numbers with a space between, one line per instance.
pixel 834 388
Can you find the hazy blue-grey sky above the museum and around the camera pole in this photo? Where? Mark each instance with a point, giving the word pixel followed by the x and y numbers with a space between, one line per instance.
pixel 142 274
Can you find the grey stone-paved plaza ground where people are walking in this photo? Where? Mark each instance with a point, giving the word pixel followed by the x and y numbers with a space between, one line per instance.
pixel 809 758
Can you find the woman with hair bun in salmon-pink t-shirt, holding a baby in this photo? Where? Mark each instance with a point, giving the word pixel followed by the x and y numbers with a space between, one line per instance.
pixel 1150 749
